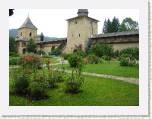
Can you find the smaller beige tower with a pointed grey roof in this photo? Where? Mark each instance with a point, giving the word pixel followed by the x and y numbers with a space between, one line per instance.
pixel 26 32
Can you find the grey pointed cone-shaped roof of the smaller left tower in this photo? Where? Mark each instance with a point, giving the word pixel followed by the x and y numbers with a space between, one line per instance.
pixel 28 24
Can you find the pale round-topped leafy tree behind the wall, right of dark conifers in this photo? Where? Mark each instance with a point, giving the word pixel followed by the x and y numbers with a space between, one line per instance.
pixel 128 25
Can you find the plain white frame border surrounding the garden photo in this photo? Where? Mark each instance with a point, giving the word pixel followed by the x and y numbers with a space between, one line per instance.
pixel 142 109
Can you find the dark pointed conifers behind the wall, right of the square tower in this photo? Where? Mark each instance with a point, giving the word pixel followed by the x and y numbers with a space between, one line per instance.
pixel 111 26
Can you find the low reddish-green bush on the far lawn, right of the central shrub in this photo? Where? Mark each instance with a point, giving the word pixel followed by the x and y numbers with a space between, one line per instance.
pixel 92 59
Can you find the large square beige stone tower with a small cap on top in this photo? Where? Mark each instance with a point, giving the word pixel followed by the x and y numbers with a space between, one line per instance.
pixel 80 29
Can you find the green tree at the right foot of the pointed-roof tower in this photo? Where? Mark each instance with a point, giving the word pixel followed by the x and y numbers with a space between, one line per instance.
pixel 31 46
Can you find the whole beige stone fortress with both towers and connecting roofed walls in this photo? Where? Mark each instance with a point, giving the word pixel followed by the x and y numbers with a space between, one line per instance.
pixel 82 30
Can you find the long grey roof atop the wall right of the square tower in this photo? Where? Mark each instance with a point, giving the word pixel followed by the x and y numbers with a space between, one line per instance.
pixel 116 34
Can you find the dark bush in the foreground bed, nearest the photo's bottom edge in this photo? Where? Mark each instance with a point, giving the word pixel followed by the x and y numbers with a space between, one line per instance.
pixel 38 90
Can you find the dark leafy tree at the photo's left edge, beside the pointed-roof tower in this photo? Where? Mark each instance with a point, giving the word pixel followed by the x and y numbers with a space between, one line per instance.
pixel 12 45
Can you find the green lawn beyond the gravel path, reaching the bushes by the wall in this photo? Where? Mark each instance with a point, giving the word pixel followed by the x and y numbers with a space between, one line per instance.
pixel 111 68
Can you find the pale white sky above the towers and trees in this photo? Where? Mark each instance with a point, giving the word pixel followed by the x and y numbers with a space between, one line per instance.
pixel 52 22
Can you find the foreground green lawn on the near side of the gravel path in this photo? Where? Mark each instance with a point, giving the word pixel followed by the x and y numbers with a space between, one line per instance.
pixel 96 91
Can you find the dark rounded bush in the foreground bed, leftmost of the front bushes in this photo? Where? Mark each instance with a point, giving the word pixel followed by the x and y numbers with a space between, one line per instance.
pixel 21 84
